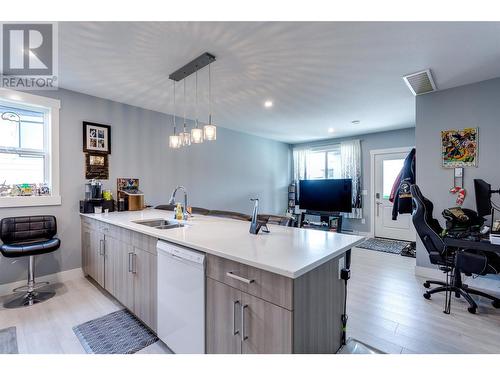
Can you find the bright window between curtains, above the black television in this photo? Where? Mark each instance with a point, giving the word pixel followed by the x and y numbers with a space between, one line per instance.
pixel 324 163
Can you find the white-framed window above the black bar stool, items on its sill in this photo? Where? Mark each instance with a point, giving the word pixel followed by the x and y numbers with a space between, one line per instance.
pixel 29 156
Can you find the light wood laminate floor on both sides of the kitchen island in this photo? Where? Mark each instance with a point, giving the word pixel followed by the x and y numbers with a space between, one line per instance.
pixel 385 306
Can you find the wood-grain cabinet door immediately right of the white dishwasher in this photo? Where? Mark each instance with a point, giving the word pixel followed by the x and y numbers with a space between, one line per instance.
pixel 223 318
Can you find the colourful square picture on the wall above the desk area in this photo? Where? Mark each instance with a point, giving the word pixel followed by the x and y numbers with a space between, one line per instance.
pixel 459 148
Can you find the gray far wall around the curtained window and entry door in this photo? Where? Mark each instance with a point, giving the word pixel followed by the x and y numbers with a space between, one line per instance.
pixel 372 141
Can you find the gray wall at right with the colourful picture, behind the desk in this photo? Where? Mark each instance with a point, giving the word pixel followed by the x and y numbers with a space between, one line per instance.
pixel 466 106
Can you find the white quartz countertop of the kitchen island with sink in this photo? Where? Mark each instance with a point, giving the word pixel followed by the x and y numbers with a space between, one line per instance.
pixel 290 252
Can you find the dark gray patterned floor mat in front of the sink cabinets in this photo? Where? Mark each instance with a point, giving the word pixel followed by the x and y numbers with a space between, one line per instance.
pixel 117 333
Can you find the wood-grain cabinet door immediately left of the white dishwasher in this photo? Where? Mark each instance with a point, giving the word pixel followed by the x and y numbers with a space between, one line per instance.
pixel 145 300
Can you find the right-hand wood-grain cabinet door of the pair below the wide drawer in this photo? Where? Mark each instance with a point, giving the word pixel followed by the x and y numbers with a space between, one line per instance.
pixel 266 328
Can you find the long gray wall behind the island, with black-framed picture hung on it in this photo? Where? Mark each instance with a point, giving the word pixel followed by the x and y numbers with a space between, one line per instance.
pixel 222 174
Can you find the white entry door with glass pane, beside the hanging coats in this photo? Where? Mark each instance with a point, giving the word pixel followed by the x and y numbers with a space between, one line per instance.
pixel 387 166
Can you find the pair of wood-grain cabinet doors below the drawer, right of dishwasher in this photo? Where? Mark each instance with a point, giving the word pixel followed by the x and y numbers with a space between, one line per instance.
pixel 240 323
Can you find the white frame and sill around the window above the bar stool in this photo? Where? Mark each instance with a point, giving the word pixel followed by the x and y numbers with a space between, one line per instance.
pixel 51 107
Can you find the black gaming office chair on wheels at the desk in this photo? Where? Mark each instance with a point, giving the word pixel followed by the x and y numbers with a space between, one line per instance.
pixel 447 258
